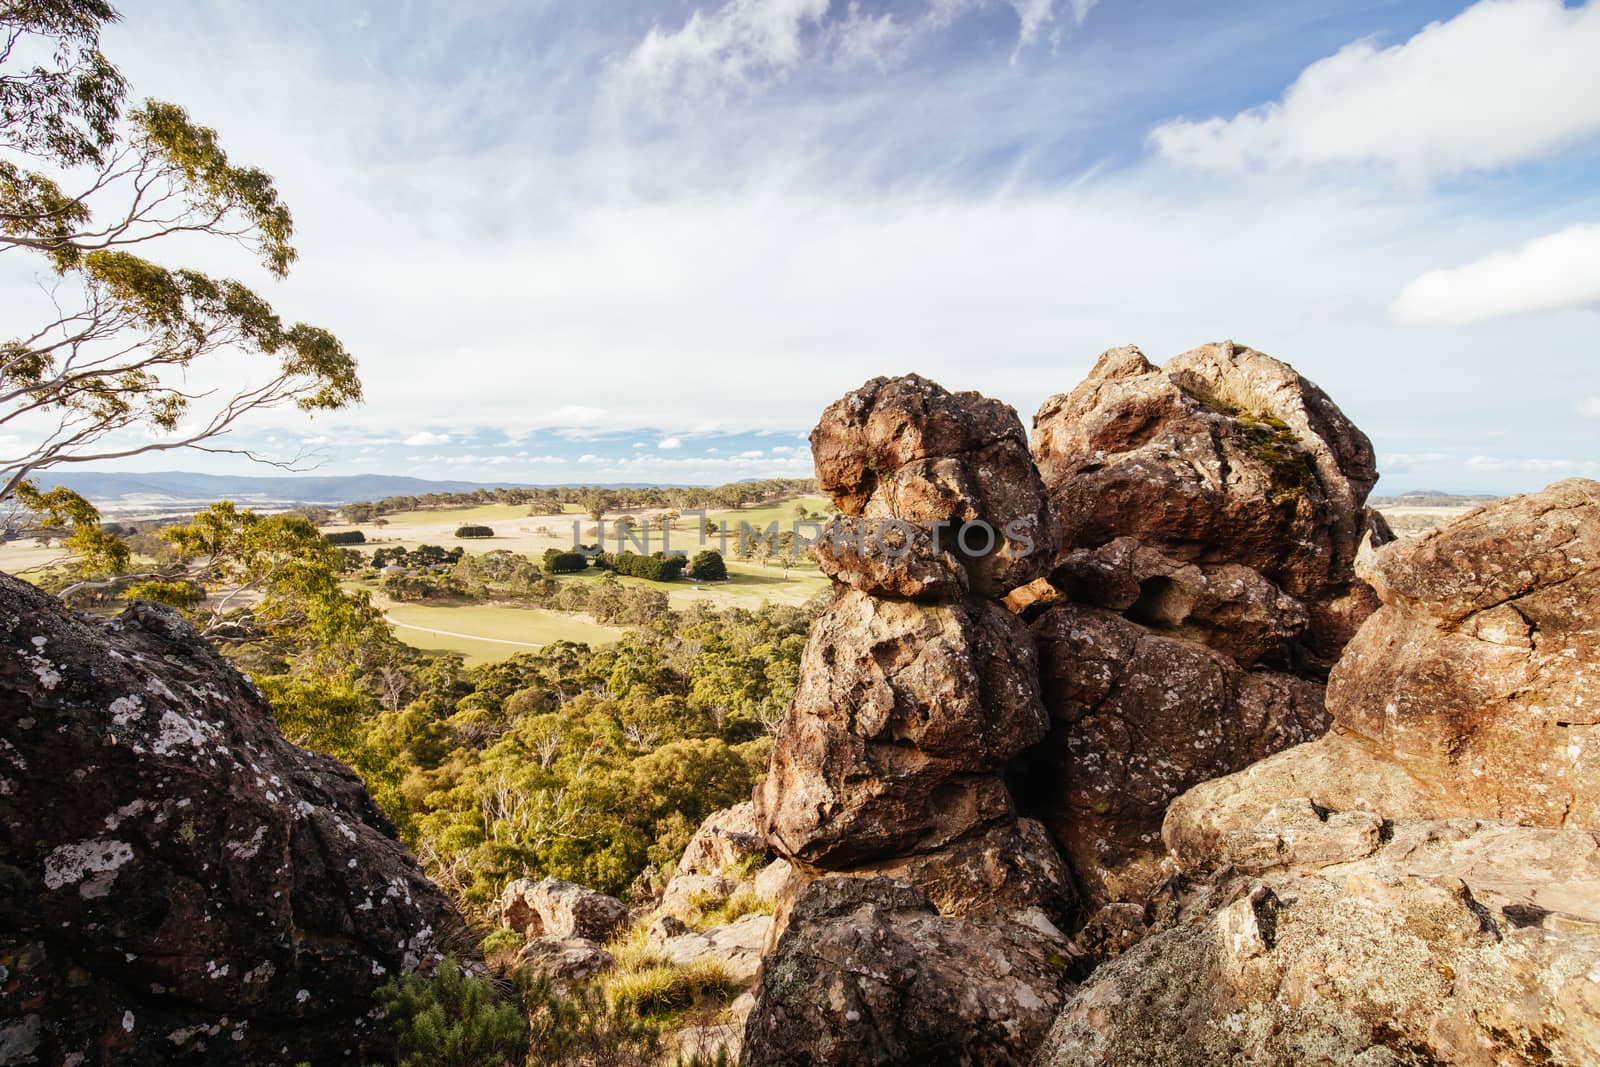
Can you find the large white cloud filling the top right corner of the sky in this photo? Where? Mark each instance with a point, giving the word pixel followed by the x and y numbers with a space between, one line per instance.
pixel 1503 82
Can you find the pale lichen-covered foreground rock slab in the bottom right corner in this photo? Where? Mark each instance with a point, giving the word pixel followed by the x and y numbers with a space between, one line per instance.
pixel 1431 943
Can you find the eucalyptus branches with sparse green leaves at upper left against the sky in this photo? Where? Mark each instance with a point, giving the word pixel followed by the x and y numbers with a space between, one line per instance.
pixel 94 188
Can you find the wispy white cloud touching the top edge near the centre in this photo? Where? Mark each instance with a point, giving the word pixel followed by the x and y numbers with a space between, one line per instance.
pixel 724 50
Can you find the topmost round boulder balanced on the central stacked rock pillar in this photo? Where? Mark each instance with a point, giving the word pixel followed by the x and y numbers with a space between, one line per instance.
pixel 908 450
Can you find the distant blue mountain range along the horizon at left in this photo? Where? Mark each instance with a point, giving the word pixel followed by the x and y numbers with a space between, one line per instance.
pixel 162 492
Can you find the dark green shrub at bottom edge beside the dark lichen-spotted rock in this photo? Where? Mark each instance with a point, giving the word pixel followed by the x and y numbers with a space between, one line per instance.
pixel 454 1020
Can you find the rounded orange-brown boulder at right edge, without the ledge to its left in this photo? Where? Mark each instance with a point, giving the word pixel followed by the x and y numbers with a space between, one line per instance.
pixel 1481 674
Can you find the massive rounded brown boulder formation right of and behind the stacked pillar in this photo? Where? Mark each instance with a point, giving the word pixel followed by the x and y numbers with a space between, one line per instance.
pixel 1214 513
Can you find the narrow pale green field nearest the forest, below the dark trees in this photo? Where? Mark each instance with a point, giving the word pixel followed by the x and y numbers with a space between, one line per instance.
pixel 489 633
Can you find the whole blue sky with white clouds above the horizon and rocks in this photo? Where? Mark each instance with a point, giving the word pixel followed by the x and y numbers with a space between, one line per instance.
pixel 631 242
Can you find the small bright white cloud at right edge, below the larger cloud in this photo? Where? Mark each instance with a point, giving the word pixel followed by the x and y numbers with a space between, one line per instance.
pixel 1556 271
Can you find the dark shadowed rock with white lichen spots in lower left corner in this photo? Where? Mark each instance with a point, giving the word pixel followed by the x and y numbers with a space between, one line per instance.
pixel 183 885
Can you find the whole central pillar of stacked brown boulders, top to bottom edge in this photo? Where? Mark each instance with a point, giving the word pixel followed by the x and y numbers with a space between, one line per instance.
pixel 916 693
